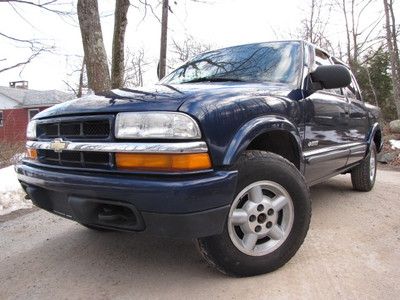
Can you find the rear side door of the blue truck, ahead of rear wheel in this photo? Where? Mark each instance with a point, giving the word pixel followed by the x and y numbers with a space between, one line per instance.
pixel 357 131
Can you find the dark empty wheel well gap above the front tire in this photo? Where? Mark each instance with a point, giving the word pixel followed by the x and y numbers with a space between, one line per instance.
pixel 279 142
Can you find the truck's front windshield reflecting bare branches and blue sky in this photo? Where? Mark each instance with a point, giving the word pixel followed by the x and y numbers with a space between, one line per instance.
pixel 277 62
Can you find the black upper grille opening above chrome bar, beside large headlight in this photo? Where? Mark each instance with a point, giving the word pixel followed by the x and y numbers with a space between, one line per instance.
pixel 93 129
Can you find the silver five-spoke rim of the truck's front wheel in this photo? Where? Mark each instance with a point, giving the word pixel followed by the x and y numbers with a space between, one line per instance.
pixel 261 218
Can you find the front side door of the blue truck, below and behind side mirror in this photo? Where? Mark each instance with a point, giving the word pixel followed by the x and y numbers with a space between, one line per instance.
pixel 326 122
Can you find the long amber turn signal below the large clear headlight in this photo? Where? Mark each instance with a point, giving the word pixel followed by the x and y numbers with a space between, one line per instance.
pixel 163 162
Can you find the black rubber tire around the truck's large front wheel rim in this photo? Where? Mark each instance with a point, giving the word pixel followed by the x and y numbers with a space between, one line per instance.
pixel 254 166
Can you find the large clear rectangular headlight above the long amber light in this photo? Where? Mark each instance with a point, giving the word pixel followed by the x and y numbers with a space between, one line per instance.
pixel 156 125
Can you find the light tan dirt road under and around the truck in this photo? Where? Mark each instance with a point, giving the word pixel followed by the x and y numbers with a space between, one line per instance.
pixel 352 251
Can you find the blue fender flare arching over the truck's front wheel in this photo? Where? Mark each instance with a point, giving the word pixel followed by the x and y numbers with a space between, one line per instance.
pixel 255 127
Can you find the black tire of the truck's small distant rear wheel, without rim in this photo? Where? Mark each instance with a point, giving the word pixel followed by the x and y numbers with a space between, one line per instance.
pixel 361 175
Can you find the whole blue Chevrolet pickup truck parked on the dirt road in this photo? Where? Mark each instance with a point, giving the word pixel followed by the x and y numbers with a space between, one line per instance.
pixel 223 150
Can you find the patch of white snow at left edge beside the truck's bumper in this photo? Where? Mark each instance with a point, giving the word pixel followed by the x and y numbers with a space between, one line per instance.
pixel 12 197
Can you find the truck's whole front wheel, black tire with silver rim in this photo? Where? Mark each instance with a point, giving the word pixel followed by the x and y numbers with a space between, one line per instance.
pixel 268 219
